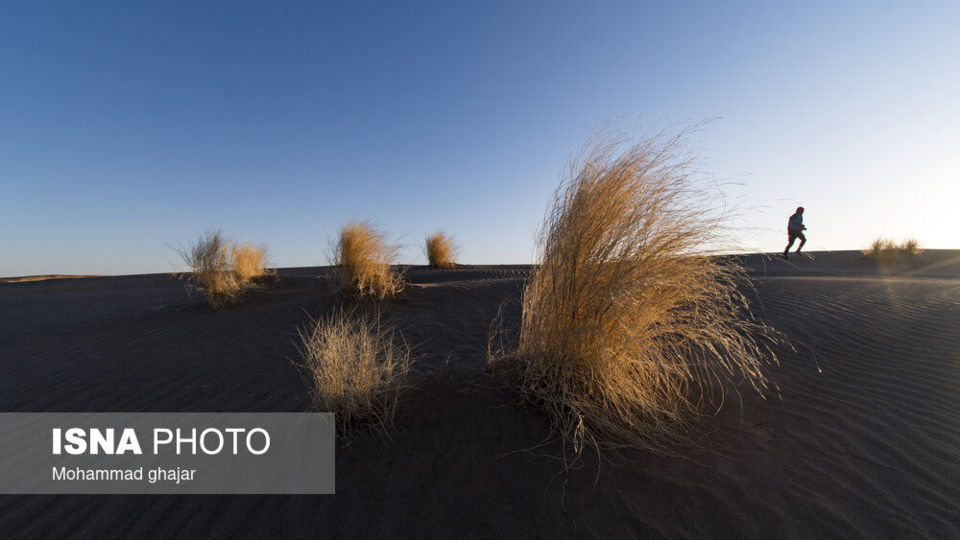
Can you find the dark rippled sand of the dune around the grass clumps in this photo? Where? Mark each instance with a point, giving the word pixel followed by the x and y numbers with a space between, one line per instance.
pixel 867 448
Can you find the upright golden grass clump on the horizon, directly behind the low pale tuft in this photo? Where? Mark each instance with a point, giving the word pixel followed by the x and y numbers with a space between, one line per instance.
pixel 364 260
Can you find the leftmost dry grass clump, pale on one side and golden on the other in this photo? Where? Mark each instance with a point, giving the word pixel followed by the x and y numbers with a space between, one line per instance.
pixel 221 270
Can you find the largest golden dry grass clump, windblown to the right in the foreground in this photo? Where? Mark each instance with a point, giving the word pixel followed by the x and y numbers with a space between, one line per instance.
pixel 626 321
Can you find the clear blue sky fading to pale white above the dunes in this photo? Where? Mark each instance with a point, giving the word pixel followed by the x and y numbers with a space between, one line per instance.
pixel 127 127
